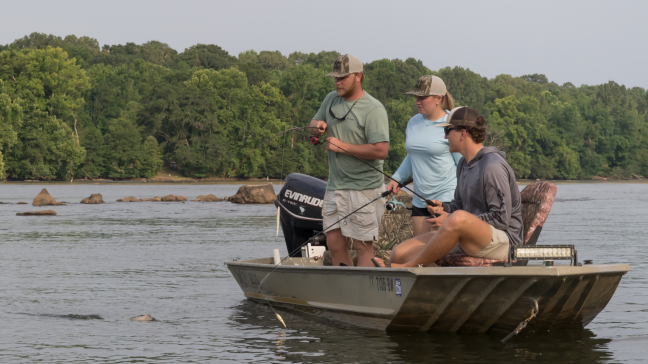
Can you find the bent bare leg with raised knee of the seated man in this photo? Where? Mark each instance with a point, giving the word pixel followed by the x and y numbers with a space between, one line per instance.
pixel 472 233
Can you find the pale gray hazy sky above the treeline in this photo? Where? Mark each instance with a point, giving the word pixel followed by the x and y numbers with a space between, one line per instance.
pixel 582 42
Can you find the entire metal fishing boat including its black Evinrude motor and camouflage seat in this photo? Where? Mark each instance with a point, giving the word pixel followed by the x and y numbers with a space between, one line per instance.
pixel 467 295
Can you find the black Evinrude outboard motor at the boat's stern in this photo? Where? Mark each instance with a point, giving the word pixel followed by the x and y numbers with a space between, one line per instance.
pixel 300 203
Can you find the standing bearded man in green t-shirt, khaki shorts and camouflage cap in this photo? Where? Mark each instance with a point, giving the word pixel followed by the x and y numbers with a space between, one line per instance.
pixel 356 124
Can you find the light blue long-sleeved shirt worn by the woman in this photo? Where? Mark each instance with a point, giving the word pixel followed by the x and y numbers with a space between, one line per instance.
pixel 429 161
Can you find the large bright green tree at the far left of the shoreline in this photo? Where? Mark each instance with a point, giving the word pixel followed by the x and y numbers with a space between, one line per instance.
pixel 48 87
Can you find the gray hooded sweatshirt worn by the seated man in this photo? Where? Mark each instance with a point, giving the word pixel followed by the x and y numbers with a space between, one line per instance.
pixel 486 188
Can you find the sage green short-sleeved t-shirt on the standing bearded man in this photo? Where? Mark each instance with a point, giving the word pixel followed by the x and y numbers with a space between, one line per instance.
pixel 366 124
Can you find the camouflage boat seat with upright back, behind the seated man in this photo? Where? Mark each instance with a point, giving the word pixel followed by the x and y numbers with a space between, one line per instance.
pixel 537 199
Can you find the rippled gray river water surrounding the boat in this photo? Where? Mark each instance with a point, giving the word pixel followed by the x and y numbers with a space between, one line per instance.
pixel 69 283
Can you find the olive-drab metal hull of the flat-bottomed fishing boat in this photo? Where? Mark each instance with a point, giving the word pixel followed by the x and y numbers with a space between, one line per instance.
pixel 442 299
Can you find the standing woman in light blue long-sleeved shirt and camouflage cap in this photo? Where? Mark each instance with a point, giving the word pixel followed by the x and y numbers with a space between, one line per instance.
pixel 428 159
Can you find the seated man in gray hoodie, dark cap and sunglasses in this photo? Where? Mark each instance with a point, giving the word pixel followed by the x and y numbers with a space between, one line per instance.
pixel 485 217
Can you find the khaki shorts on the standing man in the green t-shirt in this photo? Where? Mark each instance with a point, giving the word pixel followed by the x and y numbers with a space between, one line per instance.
pixel 362 225
